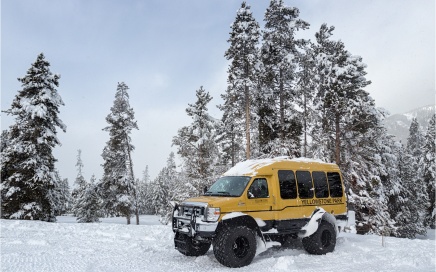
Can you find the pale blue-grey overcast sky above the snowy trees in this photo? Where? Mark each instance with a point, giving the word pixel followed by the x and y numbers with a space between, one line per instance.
pixel 165 50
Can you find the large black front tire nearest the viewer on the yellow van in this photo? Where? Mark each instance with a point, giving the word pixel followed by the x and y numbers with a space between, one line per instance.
pixel 235 247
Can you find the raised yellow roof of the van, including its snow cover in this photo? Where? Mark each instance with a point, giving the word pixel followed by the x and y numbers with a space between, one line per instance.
pixel 266 166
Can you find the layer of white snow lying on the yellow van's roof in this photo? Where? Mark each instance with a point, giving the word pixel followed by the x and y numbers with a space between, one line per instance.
pixel 250 167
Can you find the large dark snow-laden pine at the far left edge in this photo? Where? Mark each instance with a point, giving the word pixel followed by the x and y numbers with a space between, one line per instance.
pixel 28 185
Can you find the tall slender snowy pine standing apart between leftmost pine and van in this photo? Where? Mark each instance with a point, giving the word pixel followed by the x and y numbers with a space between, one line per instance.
pixel 117 184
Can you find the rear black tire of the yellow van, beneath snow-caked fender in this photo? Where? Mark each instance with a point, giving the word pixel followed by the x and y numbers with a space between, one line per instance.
pixel 322 241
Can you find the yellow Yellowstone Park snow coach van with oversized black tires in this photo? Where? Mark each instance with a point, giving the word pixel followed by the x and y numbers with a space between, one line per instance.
pixel 264 200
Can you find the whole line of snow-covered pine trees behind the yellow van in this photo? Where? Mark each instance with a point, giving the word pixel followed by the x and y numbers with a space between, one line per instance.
pixel 285 97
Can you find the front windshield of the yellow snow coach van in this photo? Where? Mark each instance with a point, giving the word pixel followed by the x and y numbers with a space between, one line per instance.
pixel 228 186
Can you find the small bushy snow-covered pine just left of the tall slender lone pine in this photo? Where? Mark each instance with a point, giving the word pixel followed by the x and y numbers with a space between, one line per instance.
pixel 88 203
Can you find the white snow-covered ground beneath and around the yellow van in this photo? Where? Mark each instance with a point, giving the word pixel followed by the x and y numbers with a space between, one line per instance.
pixel 113 246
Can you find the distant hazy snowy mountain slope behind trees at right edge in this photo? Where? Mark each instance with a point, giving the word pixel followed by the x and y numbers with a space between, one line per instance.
pixel 398 124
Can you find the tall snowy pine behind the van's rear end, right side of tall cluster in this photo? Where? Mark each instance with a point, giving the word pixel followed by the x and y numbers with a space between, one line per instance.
pixel 350 130
